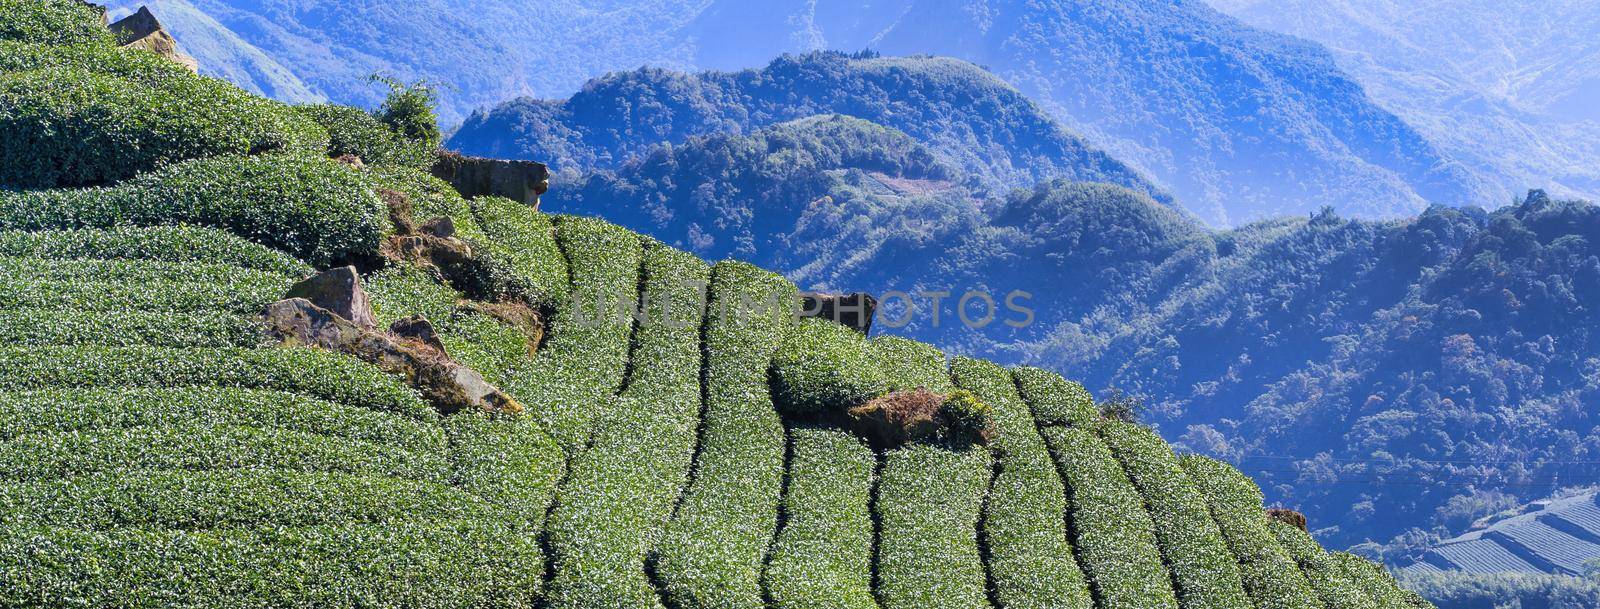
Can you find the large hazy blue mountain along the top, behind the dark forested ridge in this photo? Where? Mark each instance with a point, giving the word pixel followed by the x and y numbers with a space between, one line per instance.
pixel 1238 124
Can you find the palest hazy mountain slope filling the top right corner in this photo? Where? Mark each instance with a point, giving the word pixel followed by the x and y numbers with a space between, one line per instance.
pixel 1502 87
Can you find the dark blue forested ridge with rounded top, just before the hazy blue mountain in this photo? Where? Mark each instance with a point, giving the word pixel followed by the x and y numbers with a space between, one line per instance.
pixel 970 119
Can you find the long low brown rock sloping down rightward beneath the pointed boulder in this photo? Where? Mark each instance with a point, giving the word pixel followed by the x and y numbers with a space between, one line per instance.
pixel 444 383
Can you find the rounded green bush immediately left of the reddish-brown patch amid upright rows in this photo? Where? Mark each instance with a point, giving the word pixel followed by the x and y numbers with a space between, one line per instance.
pixel 825 367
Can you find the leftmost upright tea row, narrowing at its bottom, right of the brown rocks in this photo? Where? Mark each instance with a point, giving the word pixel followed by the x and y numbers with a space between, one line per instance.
pixel 585 354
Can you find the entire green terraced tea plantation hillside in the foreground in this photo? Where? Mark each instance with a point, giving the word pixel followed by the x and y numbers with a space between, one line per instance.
pixel 159 448
